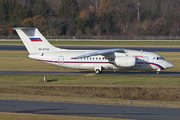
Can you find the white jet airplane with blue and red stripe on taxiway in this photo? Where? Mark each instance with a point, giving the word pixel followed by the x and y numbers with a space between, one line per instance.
pixel 98 60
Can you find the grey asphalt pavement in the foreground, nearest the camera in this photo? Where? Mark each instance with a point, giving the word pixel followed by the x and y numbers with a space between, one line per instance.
pixel 90 110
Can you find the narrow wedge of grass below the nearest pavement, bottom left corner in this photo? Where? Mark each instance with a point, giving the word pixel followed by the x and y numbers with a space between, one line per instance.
pixel 18 116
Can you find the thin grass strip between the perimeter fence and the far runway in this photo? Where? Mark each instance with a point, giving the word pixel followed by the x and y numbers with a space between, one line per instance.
pixel 105 43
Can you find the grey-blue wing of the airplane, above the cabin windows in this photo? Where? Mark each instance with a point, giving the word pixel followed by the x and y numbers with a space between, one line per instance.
pixel 98 52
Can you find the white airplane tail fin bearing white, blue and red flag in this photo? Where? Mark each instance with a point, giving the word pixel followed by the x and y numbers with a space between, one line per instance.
pixel 34 41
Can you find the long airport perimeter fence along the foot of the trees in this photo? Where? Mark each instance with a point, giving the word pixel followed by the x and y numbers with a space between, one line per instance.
pixel 103 37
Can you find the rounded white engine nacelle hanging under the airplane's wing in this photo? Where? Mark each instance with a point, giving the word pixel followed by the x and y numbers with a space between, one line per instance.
pixel 125 61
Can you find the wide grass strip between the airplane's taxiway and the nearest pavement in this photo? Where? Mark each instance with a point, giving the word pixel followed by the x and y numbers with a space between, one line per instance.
pixel 144 91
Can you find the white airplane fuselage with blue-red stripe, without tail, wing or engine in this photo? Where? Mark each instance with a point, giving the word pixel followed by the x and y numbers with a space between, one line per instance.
pixel 144 60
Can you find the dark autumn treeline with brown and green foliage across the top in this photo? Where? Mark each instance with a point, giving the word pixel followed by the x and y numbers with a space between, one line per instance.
pixel 92 17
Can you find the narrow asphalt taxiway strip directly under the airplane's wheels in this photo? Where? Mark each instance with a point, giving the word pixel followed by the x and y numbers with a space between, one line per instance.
pixel 84 73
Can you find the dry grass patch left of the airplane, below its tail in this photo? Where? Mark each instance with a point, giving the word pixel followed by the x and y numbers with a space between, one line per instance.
pixel 18 61
